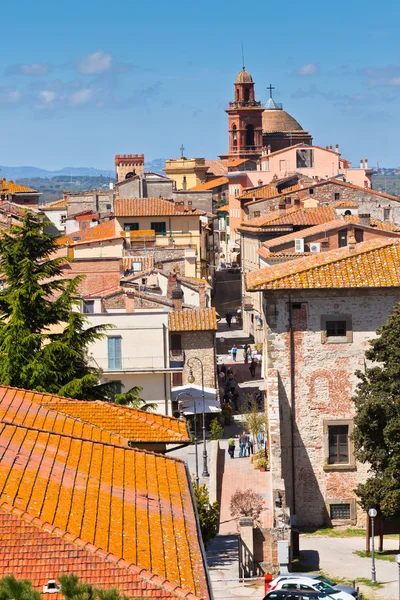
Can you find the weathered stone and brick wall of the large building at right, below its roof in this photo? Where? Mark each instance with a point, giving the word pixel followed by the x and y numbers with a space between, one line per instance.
pixel 317 394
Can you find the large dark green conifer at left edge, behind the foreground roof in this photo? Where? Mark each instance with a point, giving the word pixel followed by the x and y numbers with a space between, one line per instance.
pixel 37 298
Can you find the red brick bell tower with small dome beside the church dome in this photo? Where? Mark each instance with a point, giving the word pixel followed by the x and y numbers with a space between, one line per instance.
pixel 244 120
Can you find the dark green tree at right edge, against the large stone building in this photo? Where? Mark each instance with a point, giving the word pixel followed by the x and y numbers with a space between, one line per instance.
pixel 377 421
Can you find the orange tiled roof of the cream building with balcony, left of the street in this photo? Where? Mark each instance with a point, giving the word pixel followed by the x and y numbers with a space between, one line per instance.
pixel 151 207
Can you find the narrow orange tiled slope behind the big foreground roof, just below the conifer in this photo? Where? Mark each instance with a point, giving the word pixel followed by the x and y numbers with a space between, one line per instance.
pixel 111 419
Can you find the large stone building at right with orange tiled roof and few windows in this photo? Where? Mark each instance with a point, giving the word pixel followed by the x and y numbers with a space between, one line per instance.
pixel 319 314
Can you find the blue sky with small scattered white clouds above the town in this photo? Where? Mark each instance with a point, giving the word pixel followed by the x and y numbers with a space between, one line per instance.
pixel 84 80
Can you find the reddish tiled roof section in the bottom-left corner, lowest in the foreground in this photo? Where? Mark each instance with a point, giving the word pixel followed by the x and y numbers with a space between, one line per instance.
pixel 35 551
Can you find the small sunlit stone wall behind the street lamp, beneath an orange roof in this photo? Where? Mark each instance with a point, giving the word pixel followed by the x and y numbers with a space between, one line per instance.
pixel 200 344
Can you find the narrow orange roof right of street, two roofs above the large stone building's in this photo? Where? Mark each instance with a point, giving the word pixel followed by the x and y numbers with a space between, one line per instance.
pixel 296 215
